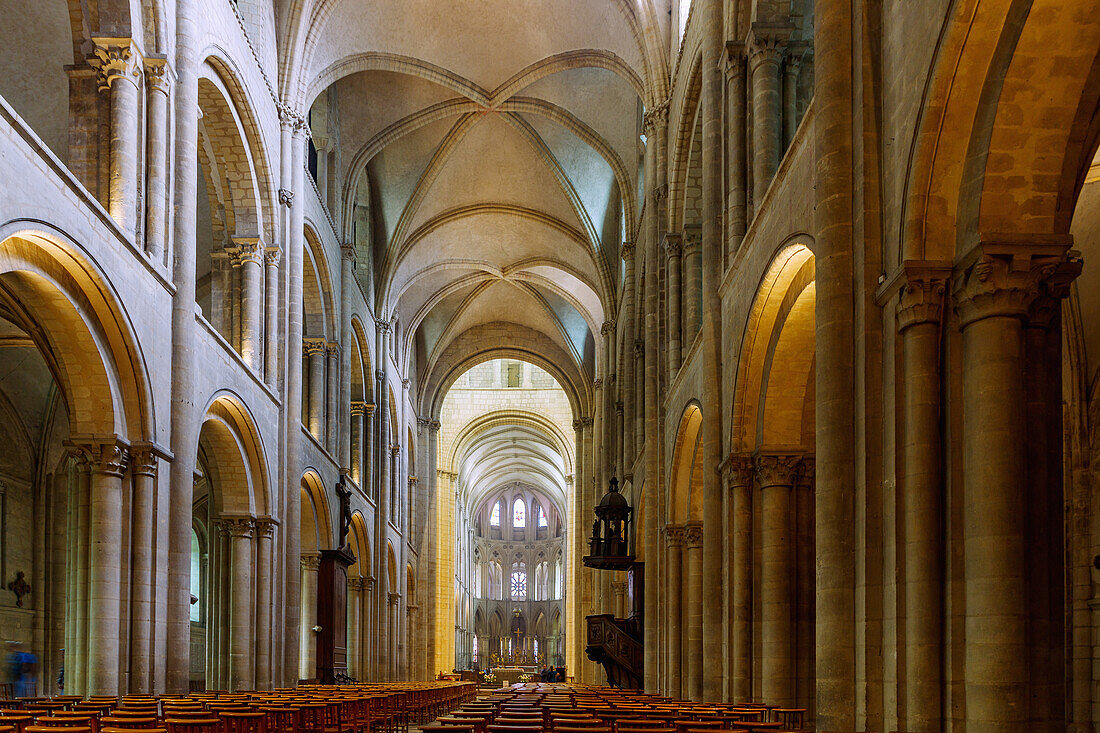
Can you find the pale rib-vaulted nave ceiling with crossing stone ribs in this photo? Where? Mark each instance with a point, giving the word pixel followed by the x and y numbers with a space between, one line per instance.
pixel 500 144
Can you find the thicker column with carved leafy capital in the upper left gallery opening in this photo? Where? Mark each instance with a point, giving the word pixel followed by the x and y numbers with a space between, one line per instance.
pixel 119 74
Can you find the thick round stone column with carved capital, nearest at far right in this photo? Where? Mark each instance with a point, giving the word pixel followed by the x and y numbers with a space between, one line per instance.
pixel 992 297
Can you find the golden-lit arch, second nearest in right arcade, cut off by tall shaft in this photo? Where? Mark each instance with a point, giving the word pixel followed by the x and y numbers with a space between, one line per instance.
pixel 775 366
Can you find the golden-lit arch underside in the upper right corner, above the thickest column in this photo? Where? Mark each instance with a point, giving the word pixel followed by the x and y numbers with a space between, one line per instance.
pixel 1021 170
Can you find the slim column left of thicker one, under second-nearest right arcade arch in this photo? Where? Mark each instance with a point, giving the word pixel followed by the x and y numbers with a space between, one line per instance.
pixel 740 477
